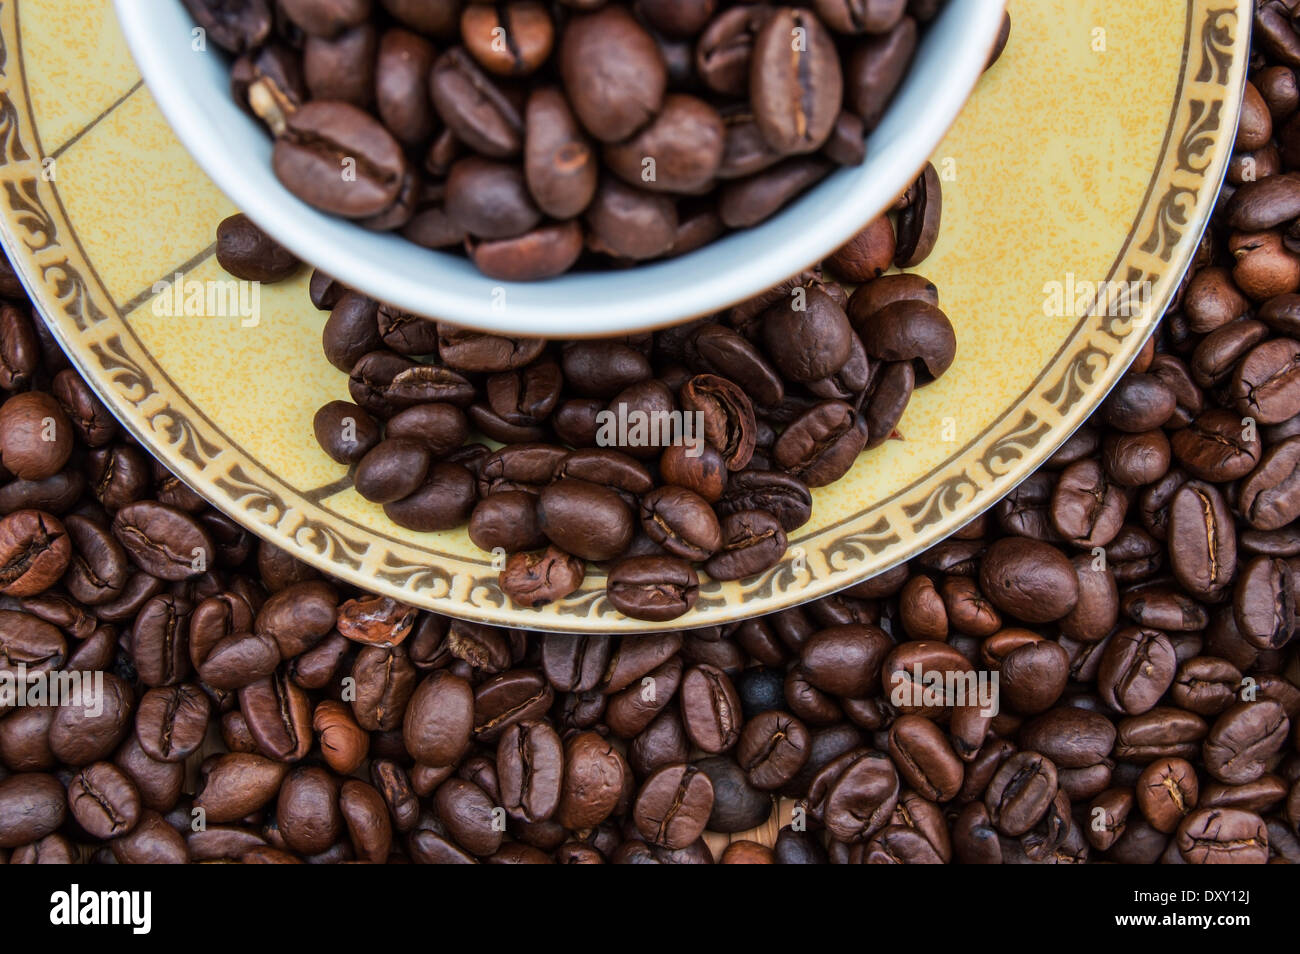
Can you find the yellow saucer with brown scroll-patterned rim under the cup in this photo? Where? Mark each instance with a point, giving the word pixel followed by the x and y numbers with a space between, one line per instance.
pixel 1091 154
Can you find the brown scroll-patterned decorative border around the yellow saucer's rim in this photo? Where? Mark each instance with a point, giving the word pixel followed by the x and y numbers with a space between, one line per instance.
pixel 45 249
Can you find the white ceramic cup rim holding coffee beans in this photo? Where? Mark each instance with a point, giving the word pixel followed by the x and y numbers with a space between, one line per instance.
pixel 193 90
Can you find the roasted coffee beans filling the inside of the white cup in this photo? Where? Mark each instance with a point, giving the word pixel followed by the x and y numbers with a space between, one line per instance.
pixel 532 133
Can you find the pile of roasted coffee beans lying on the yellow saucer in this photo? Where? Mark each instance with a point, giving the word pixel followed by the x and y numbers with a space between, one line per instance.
pixel 762 404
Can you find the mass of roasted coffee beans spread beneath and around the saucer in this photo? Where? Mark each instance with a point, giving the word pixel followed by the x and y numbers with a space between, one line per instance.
pixel 1123 626
